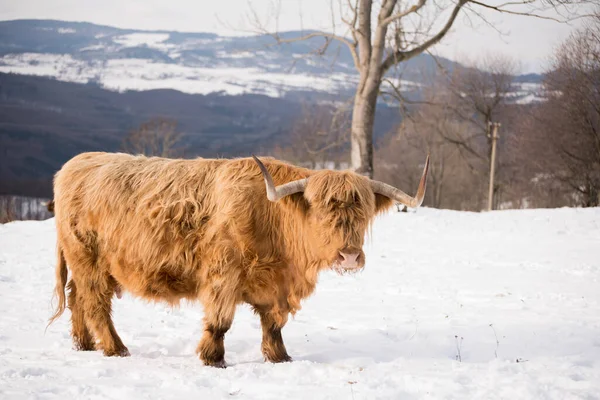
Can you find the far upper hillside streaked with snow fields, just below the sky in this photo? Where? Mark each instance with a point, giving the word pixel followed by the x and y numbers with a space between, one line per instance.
pixel 120 59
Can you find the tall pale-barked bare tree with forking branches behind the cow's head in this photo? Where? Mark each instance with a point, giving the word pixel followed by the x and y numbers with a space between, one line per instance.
pixel 386 33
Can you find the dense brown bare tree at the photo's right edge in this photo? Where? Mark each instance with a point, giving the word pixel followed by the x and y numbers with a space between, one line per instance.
pixel 560 141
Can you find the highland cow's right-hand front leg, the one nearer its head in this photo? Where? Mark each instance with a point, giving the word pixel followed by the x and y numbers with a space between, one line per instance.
pixel 272 322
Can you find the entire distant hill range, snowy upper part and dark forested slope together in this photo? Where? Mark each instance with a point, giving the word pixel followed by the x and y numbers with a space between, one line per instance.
pixel 68 87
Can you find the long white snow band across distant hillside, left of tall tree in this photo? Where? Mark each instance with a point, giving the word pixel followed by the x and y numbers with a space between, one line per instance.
pixel 140 74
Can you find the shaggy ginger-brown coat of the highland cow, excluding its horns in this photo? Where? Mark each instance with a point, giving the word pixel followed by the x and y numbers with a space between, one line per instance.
pixel 204 230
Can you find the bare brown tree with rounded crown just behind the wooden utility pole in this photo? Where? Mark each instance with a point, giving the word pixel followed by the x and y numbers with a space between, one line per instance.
pixel 474 98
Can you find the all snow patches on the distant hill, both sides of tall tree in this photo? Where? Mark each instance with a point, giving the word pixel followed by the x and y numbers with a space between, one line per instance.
pixel 202 66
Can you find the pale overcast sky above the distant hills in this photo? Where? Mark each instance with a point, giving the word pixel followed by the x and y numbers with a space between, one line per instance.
pixel 528 40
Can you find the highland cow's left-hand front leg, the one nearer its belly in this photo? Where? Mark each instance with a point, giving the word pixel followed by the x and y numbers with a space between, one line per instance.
pixel 217 321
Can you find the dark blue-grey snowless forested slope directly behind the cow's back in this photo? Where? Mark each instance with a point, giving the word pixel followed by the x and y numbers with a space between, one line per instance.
pixel 44 122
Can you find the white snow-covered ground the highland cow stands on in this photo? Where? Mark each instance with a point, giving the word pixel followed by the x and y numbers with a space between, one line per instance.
pixel 517 291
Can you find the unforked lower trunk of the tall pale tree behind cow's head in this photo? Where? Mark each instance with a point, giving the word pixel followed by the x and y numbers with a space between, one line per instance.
pixel 363 119
